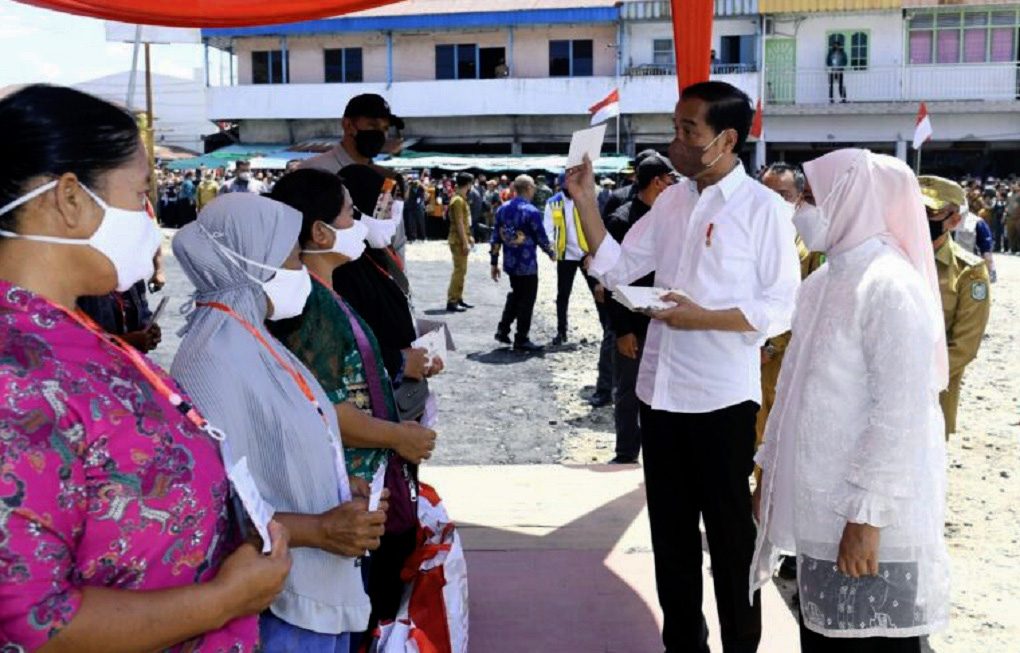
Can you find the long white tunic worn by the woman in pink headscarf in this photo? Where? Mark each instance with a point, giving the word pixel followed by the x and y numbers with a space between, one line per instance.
pixel 857 435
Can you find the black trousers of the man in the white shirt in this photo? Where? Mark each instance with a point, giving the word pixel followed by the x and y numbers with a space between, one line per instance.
pixel 698 466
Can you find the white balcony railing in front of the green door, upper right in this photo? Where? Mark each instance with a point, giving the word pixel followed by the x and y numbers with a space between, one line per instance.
pixel 895 84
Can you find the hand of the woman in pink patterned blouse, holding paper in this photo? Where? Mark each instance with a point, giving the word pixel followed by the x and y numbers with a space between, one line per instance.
pixel 251 581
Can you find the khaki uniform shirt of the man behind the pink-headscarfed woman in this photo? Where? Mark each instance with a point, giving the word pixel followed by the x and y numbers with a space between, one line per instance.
pixel 963 282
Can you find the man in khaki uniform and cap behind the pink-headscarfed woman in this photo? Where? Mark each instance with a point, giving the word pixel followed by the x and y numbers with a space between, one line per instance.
pixel 963 280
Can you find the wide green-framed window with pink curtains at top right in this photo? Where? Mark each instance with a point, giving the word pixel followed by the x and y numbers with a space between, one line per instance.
pixel 963 36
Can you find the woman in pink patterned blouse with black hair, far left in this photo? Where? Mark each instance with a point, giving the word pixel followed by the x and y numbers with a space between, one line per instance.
pixel 115 520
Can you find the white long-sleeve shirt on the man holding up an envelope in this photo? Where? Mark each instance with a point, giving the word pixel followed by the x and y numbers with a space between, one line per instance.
pixel 732 246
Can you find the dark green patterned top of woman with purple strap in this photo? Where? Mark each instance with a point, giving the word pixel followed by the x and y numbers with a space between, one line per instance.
pixel 323 339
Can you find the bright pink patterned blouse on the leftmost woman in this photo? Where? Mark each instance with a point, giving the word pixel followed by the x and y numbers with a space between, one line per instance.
pixel 105 483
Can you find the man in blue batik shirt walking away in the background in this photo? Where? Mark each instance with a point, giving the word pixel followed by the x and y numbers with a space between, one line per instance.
pixel 519 232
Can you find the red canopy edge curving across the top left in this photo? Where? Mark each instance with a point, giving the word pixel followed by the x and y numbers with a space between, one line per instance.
pixel 208 14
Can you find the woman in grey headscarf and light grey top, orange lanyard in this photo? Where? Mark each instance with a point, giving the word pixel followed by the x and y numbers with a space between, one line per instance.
pixel 242 257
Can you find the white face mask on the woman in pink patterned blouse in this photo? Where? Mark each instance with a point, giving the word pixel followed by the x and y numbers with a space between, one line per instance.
pixel 128 239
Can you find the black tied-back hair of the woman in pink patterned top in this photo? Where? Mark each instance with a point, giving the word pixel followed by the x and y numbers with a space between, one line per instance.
pixel 53 131
